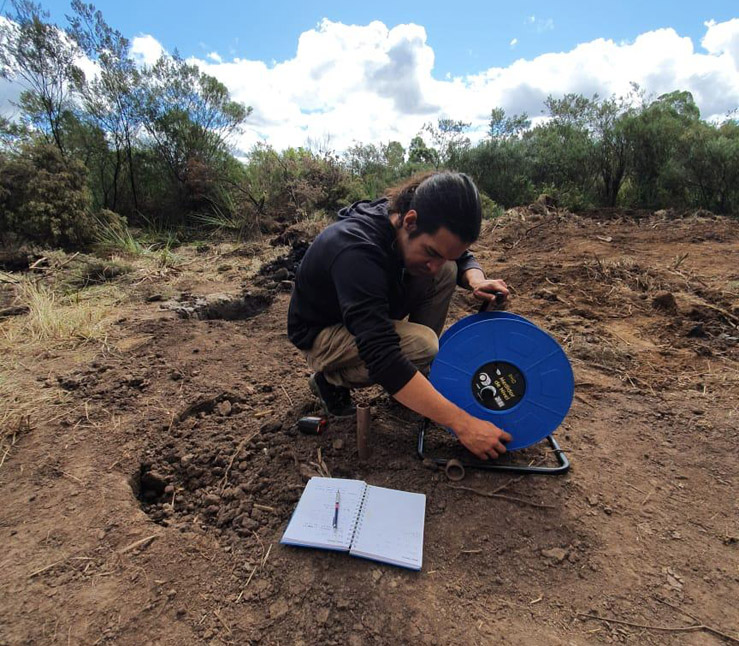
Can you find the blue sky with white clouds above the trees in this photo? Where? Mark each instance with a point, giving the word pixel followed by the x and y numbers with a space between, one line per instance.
pixel 345 72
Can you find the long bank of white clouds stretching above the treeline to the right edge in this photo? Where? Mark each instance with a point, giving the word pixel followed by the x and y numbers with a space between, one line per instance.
pixel 373 84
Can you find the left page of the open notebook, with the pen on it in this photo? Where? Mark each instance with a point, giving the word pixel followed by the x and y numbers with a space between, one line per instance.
pixel 312 522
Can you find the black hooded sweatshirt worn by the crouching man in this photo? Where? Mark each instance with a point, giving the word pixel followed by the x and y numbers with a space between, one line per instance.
pixel 353 274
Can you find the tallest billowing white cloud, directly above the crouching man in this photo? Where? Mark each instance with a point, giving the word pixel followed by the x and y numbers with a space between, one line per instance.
pixel 363 83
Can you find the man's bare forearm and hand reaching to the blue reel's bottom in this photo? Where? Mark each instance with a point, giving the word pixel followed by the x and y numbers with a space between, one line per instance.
pixel 482 438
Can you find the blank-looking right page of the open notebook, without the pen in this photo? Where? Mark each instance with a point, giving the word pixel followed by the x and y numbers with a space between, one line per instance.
pixel 390 528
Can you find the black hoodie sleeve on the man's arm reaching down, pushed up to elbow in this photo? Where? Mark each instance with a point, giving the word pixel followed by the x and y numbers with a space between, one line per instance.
pixel 361 283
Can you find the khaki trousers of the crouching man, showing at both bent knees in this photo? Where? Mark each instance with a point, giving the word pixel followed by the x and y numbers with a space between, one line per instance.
pixel 335 352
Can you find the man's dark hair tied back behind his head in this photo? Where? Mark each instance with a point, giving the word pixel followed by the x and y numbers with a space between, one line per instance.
pixel 441 199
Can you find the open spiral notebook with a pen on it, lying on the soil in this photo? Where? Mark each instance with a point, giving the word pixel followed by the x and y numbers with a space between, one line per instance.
pixel 373 522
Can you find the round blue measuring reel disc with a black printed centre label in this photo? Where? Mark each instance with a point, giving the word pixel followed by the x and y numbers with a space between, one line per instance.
pixel 502 368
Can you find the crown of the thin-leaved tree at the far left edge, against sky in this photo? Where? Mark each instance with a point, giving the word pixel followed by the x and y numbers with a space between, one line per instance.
pixel 42 59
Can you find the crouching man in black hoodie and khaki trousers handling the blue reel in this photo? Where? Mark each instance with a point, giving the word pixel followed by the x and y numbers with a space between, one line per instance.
pixel 372 293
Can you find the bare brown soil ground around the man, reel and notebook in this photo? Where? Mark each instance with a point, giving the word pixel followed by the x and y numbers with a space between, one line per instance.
pixel 148 507
